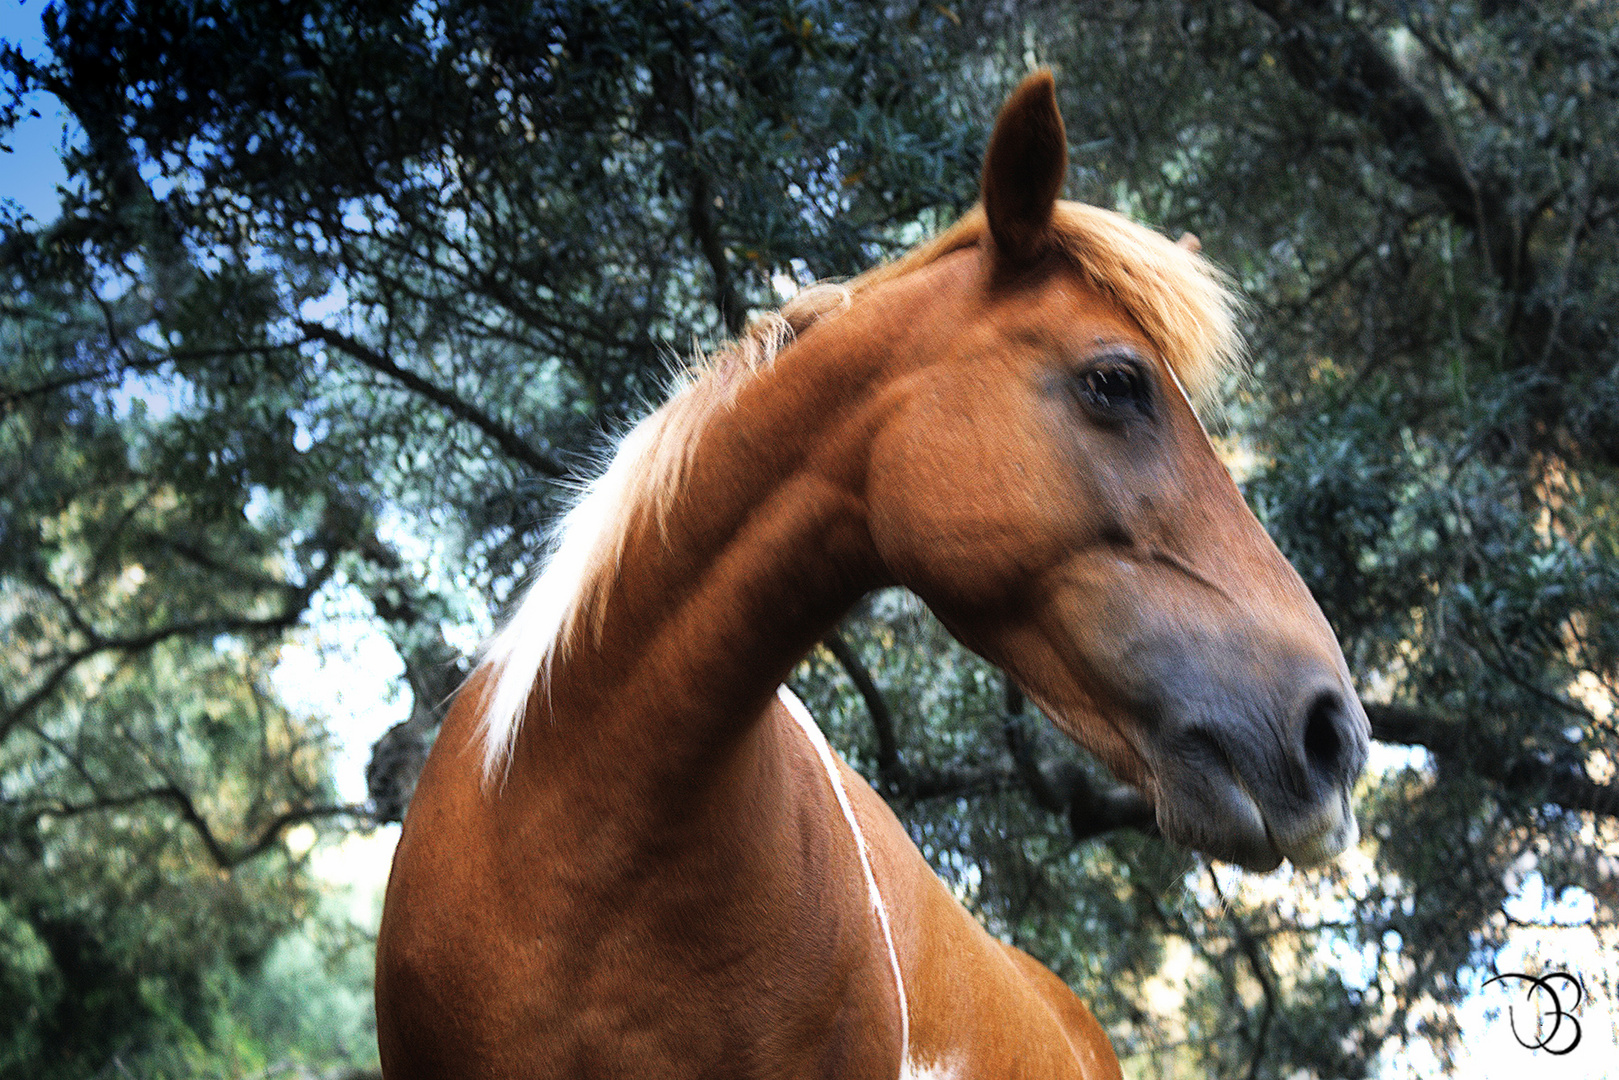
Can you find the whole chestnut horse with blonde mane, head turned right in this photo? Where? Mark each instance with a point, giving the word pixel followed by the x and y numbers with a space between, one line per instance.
pixel 632 854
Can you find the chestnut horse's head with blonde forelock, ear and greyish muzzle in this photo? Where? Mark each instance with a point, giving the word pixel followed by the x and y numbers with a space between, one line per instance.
pixel 1040 478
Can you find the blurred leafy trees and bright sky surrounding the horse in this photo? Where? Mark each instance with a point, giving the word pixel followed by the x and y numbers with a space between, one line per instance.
pixel 312 312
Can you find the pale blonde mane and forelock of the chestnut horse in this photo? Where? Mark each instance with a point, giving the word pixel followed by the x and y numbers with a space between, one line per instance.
pixel 1181 302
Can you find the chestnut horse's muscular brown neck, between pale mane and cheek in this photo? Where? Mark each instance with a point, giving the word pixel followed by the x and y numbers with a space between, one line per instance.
pixel 760 553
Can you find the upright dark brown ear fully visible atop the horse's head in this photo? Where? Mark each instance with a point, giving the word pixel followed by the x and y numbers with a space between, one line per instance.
pixel 1024 169
